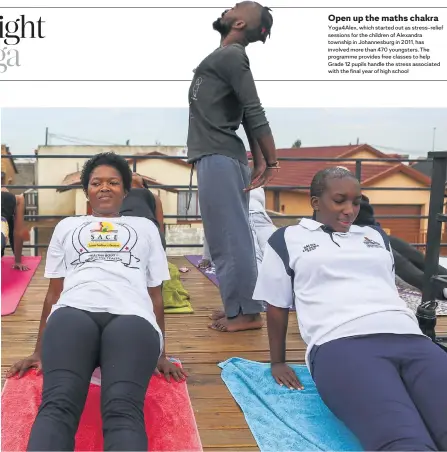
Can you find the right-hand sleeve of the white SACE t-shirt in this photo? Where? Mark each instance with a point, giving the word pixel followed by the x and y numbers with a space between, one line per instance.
pixel 157 269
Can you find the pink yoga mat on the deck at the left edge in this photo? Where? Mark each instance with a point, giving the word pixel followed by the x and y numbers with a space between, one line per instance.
pixel 15 282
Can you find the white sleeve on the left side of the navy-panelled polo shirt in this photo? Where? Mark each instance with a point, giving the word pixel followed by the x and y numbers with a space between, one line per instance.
pixel 274 284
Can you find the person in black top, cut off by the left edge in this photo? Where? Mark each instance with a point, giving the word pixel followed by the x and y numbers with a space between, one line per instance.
pixel 13 224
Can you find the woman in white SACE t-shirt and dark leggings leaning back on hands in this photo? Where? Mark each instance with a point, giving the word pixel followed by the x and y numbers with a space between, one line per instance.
pixel 103 308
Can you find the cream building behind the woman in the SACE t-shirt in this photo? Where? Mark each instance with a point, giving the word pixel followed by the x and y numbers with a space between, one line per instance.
pixel 157 171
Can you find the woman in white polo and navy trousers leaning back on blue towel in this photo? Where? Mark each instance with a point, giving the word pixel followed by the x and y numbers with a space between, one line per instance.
pixel 371 364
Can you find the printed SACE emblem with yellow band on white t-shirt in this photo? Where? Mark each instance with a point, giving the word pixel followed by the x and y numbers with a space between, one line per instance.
pixel 105 242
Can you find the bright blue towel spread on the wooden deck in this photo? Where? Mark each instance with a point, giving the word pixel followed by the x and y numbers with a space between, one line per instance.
pixel 282 419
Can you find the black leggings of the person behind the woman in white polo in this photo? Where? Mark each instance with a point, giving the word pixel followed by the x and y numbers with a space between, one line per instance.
pixel 410 264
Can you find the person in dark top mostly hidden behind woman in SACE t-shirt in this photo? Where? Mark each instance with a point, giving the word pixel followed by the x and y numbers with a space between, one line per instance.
pixel 141 202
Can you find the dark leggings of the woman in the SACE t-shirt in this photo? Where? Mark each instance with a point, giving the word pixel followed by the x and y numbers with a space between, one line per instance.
pixel 74 343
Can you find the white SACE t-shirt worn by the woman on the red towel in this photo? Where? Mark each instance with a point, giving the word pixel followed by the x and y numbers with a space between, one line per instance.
pixel 108 265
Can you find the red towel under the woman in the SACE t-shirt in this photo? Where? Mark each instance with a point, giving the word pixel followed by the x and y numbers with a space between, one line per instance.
pixel 169 417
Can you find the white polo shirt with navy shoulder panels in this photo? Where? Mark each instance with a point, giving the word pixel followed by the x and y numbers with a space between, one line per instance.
pixel 342 284
